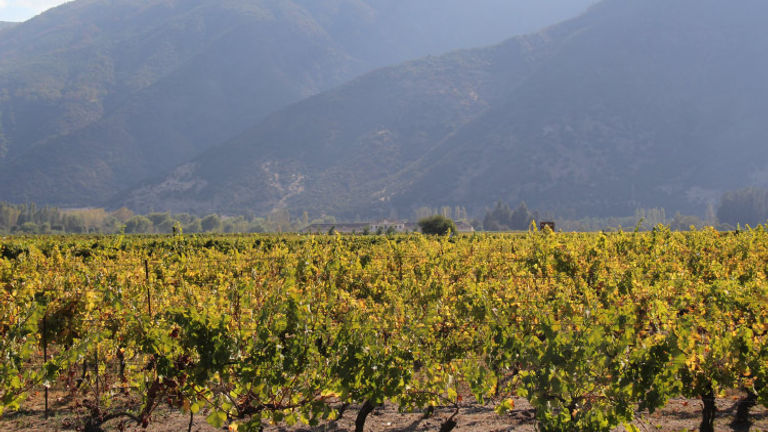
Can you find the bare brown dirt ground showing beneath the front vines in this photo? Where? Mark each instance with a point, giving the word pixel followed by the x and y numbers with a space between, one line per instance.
pixel 679 415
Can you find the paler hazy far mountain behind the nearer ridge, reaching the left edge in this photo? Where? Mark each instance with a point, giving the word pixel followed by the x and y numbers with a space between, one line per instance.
pixel 98 95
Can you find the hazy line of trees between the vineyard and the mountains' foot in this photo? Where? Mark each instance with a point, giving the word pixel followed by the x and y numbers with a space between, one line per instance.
pixel 740 207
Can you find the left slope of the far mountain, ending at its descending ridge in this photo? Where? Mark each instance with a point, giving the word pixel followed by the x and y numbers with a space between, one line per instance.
pixel 144 97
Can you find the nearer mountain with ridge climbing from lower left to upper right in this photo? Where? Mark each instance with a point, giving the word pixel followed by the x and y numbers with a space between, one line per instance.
pixel 637 103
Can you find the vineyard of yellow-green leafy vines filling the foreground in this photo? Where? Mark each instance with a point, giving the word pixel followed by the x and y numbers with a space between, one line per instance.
pixel 249 331
